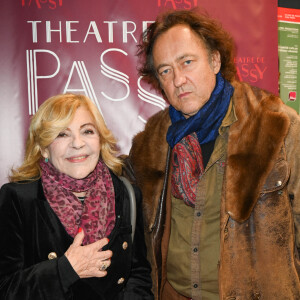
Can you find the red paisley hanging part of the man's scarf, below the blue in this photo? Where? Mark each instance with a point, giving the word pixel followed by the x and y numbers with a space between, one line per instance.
pixel 187 169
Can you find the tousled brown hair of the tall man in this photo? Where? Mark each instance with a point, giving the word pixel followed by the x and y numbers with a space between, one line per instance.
pixel 209 31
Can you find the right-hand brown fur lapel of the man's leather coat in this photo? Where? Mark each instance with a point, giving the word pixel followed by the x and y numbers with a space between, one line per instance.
pixel 254 142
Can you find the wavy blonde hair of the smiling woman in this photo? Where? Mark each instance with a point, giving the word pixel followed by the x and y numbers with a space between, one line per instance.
pixel 54 116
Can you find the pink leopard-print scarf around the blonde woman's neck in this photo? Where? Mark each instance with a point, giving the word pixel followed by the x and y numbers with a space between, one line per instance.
pixel 96 216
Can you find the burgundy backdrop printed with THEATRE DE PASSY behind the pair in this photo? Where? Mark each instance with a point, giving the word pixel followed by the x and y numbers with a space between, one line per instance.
pixel 56 46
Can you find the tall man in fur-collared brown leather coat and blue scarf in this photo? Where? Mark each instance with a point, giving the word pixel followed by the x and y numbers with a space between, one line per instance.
pixel 219 171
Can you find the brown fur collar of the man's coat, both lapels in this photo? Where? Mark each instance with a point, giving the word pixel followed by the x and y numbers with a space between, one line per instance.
pixel 254 141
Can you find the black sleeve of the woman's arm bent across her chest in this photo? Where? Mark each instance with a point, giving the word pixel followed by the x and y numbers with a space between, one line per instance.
pixel 19 279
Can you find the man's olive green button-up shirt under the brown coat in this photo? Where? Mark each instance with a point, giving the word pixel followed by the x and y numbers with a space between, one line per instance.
pixel 194 246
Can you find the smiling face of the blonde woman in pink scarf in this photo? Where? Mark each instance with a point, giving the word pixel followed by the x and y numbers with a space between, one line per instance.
pixel 75 151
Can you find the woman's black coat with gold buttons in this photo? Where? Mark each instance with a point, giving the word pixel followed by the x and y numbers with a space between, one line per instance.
pixel 30 230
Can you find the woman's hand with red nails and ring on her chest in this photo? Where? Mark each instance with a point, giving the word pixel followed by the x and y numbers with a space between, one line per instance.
pixel 89 260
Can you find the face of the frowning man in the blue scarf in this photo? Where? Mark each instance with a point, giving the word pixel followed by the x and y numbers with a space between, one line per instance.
pixel 185 69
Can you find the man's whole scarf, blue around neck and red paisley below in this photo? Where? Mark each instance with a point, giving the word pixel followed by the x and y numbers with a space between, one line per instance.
pixel 186 135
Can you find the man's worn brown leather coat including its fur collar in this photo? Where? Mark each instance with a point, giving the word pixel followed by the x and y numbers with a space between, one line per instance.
pixel 260 204
